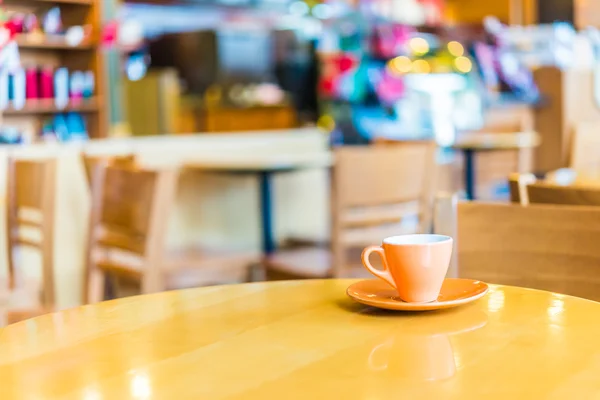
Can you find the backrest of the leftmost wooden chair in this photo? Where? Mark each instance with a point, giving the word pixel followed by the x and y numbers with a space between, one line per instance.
pixel 31 191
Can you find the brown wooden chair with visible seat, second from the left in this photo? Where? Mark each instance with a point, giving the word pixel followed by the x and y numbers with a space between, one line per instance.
pixel 130 209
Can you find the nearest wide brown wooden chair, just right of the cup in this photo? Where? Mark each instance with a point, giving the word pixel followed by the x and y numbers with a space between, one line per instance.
pixel 545 247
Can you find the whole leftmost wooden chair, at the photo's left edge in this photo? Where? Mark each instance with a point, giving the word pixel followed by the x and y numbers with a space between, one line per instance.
pixel 30 223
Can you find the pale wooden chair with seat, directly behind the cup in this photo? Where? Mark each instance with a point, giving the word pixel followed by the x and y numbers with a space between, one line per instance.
pixel 377 191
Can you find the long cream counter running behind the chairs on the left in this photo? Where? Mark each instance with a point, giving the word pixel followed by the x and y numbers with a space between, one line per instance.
pixel 216 209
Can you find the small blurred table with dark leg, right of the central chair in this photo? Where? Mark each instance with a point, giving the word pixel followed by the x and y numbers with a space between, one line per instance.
pixel 469 144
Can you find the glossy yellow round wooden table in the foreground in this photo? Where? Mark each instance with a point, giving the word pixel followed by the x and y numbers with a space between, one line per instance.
pixel 305 340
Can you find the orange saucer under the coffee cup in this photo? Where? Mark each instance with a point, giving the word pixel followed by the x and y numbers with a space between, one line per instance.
pixel 455 292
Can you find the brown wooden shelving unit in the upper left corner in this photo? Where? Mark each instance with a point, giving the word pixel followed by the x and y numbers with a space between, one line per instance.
pixel 56 52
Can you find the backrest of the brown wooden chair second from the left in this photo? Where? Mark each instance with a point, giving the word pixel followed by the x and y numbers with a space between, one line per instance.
pixel 129 214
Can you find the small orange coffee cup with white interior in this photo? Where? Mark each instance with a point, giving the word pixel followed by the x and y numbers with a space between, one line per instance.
pixel 415 265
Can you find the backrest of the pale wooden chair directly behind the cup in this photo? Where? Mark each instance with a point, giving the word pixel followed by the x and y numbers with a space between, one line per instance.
pixel 380 191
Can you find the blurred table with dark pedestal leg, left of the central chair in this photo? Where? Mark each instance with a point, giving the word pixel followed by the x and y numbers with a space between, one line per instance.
pixel 264 167
